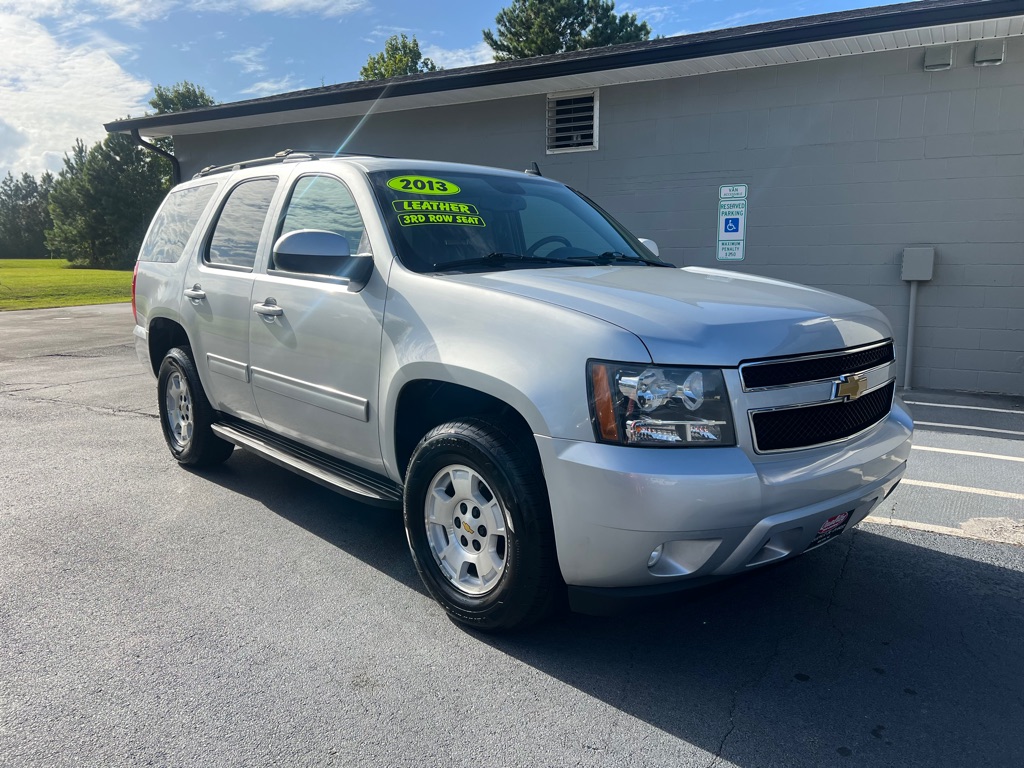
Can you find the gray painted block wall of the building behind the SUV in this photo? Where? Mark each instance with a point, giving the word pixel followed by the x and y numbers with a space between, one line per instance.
pixel 848 161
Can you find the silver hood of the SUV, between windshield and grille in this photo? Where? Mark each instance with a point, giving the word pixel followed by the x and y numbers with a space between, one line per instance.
pixel 700 317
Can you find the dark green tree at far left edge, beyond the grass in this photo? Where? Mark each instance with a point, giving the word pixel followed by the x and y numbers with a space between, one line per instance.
pixel 24 217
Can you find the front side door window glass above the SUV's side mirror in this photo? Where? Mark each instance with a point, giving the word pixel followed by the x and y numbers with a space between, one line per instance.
pixel 325 203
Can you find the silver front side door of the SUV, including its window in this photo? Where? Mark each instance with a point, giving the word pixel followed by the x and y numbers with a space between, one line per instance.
pixel 315 346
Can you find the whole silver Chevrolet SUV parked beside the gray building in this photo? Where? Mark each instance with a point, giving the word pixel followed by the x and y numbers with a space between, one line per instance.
pixel 551 404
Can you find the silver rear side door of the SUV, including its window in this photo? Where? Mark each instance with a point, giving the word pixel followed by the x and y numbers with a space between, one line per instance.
pixel 218 305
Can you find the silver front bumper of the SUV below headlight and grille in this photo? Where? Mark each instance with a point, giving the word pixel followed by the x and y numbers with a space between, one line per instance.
pixel 716 513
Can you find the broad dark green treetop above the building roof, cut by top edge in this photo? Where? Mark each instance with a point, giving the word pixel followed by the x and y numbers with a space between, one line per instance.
pixel 536 28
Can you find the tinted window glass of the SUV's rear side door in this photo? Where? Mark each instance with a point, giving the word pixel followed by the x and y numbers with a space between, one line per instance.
pixel 237 236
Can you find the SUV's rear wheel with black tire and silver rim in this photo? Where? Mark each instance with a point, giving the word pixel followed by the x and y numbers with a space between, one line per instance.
pixel 186 414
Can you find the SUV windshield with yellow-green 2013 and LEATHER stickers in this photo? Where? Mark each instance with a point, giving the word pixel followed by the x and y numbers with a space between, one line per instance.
pixel 465 222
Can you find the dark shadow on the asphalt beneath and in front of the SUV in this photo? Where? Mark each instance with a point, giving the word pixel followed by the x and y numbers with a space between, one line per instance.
pixel 872 651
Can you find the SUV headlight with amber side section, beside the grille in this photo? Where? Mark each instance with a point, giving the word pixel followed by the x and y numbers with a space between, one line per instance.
pixel 660 407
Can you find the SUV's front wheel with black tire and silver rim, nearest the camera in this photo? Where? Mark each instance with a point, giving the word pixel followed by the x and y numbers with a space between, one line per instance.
pixel 479 525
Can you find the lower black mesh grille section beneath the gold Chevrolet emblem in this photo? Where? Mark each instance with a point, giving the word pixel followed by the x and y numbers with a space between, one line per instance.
pixel 816 425
